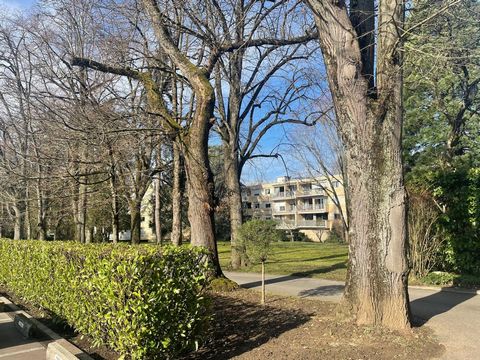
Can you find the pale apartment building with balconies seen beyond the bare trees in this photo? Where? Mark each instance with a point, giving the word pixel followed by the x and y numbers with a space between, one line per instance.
pixel 297 204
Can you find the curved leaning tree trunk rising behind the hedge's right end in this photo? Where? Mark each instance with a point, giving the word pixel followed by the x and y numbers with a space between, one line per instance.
pixel 199 175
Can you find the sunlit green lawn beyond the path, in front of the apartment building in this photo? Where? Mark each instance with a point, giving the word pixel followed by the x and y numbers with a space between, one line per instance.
pixel 317 260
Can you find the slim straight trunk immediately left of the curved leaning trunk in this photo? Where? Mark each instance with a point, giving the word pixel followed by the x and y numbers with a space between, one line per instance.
pixel 176 236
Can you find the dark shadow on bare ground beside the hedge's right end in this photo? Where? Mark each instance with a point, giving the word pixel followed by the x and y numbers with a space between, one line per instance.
pixel 240 326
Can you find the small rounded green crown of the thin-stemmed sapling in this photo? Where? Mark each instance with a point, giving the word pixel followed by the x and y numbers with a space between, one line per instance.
pixel 257 236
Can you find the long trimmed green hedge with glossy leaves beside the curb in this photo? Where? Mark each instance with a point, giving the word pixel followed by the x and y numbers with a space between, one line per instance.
pixel 141 301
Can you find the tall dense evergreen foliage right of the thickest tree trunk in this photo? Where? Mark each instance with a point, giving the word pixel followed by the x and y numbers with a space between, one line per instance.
pixel 442 123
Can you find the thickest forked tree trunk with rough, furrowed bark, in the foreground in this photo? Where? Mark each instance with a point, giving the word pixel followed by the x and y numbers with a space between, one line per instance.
pixel 370 124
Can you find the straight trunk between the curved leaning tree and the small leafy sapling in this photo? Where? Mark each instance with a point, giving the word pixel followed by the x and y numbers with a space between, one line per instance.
pixel 232 178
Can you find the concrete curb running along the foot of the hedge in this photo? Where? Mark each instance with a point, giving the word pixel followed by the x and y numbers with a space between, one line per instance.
pixel 59 349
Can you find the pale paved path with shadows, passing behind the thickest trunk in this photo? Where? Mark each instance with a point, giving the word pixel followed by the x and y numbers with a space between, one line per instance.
pixel 454 316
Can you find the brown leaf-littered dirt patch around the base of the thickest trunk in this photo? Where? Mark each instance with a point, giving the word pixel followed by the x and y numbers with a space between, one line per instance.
pixel 293 328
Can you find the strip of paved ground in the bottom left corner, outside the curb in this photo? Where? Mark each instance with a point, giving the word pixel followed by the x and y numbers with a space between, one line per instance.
pixel 13 346
